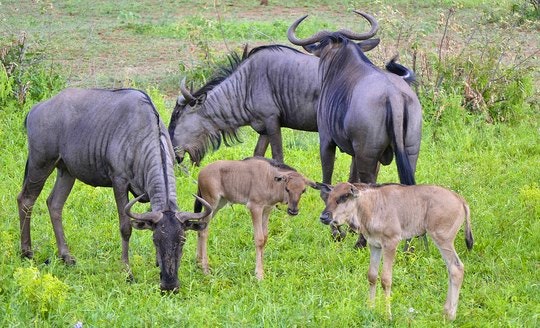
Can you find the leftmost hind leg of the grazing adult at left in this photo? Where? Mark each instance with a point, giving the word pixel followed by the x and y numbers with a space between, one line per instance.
pixel 34 180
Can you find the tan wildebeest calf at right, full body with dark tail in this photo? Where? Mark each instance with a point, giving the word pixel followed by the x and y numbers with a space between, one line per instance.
pixel 386 214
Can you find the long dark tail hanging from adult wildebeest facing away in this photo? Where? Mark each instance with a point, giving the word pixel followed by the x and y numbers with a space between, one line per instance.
pixel 396 131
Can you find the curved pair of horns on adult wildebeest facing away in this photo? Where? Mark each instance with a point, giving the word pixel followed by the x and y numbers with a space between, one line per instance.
pixel 320 35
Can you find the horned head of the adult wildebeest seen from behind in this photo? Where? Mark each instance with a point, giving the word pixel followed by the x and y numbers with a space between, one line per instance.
pixel 326 41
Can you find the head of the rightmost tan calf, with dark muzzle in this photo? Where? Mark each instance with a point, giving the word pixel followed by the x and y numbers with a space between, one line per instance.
pixel 340 207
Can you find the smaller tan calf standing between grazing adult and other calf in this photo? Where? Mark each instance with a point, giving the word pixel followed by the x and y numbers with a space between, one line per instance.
pixel 257 182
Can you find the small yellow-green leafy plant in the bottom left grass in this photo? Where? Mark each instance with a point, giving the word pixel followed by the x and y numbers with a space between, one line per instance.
pixel 44 293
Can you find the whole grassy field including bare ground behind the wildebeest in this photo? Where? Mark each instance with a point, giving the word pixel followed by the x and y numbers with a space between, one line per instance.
pixel 477 64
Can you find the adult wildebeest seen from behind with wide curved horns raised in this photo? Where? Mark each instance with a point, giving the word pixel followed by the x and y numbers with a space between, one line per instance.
pixel 363 111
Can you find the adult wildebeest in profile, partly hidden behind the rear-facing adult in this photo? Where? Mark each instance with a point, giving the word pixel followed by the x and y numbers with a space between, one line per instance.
pixel 269 88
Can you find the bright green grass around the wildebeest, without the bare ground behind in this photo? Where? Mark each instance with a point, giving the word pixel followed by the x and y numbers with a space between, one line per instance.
pixel 489 155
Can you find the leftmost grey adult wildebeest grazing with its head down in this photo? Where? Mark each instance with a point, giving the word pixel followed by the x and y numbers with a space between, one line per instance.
pixel 107 138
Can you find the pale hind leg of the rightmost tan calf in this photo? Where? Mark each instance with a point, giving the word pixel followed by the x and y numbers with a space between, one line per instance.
pixel 455 277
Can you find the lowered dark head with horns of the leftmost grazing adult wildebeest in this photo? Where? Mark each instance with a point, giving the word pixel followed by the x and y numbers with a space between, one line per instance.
pixel 169 236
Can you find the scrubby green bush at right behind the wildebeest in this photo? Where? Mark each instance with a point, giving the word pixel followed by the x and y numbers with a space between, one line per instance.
pixel 482 73
